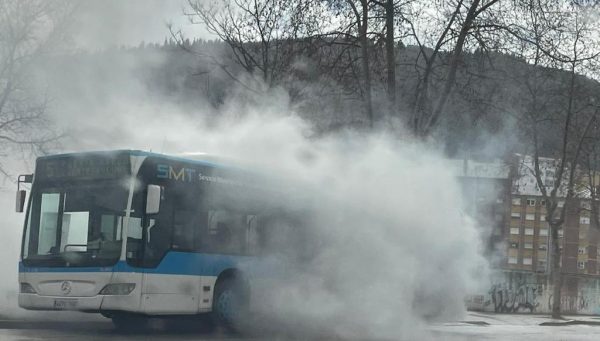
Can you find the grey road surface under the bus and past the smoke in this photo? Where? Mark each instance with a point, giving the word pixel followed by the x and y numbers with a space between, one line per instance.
pixel 475 327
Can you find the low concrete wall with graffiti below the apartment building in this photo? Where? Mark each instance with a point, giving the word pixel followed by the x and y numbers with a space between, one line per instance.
pixel 514 292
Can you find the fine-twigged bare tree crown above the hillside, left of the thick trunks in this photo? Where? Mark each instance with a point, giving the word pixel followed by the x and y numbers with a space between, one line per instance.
pixel 265 36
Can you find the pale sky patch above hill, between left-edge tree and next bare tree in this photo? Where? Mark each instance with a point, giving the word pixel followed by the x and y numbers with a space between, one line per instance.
pixel 102 24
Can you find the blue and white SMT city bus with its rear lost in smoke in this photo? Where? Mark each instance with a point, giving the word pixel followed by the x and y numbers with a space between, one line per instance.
pixel 133 234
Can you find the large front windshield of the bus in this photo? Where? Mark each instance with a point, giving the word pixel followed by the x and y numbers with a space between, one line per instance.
pixel 75 224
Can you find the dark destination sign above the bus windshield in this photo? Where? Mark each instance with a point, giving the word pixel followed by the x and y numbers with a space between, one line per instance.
pixel 84 167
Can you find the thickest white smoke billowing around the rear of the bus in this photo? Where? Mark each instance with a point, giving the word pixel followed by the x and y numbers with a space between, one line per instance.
pixel 397 248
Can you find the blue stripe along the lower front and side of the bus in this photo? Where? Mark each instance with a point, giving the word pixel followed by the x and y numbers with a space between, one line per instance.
pixel 174 263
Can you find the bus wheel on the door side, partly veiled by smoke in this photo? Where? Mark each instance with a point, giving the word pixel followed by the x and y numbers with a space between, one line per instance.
pixel 230 304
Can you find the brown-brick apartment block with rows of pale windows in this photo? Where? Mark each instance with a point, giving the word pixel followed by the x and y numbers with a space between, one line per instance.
pixel 529 237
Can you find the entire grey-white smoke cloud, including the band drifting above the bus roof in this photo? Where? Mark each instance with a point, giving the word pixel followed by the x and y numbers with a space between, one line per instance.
pixel 397 249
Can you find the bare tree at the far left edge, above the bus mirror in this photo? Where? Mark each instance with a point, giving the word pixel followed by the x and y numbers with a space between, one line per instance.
pixel 28 29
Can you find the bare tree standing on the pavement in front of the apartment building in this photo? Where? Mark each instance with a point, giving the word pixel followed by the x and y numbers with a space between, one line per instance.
pixel 562 37
